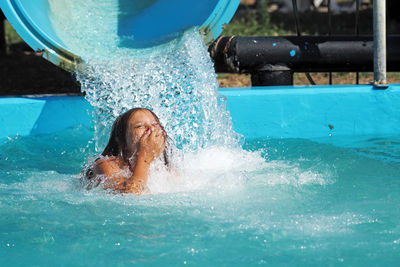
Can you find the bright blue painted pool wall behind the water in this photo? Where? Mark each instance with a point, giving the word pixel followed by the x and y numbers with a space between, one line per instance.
pixel 258 112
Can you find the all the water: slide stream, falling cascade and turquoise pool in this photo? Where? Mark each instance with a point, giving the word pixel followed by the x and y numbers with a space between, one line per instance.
pixel 277 202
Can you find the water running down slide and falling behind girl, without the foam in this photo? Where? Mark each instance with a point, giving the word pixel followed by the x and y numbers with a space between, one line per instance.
pixel 176 80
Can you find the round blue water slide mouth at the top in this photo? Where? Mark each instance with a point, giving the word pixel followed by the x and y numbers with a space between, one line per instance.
pixel 148 22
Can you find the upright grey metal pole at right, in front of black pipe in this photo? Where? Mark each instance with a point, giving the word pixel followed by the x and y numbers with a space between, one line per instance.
pixel 380 43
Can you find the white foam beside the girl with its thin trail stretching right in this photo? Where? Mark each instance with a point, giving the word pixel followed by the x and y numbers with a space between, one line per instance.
pixel 226 169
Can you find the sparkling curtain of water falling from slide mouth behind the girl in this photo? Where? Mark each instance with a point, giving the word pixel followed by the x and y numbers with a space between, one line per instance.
pixel 179 86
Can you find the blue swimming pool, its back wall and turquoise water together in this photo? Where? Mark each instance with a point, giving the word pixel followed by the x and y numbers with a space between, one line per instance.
pixel 299 193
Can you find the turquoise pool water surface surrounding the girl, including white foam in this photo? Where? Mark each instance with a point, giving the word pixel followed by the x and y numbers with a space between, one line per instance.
pixel 285 202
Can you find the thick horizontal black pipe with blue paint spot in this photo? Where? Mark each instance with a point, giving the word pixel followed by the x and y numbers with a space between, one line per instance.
pixel 300 54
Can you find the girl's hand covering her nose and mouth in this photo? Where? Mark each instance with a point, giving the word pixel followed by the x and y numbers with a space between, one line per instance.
pixel 152 144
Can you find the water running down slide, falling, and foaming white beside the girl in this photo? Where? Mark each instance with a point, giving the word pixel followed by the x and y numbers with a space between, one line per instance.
pixel 177 81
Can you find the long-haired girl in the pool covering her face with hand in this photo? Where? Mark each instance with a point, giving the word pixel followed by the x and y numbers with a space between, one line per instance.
pixel 136 139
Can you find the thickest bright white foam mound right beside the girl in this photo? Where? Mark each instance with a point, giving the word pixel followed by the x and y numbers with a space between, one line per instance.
pixel 214 168
